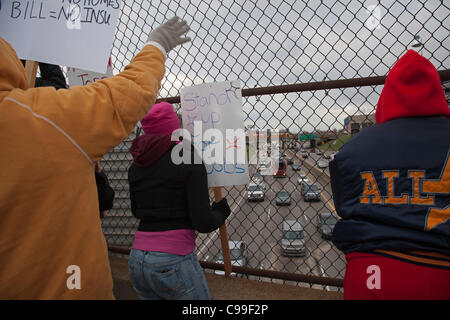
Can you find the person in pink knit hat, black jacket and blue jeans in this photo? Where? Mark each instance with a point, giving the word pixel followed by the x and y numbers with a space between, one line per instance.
pixel 172 204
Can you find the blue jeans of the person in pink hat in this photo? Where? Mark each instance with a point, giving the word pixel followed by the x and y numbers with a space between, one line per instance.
pixel 165 276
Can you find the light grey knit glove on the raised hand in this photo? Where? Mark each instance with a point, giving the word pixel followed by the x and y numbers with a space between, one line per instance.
pixel 169 35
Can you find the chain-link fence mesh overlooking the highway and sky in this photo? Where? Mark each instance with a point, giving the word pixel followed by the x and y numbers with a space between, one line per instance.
pixel 275 43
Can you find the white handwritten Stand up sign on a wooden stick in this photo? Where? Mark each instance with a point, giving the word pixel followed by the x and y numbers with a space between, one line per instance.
pixel 213 114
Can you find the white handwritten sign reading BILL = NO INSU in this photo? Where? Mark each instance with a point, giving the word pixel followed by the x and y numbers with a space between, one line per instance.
pixel 77 33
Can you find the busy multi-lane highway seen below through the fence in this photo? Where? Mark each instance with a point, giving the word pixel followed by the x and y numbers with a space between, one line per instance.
pixel 258 224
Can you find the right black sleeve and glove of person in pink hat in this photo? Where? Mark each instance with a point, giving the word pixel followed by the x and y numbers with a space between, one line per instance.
pixel 204 218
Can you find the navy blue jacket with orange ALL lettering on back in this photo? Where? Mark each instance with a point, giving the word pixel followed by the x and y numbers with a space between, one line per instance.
pixel 391 185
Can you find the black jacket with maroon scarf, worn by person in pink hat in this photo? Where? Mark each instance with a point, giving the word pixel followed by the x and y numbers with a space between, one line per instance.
pixel 165 196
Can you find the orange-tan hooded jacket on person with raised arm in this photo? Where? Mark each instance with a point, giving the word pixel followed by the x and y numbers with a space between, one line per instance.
pixel 50 140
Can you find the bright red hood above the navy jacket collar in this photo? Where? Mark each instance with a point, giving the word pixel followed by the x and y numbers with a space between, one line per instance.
pixel 412 89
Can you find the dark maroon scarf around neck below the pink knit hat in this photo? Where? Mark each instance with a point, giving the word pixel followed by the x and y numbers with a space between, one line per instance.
pixel 149 148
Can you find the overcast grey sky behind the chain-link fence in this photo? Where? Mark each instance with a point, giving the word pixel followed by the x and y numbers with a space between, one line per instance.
pixel 288 42
